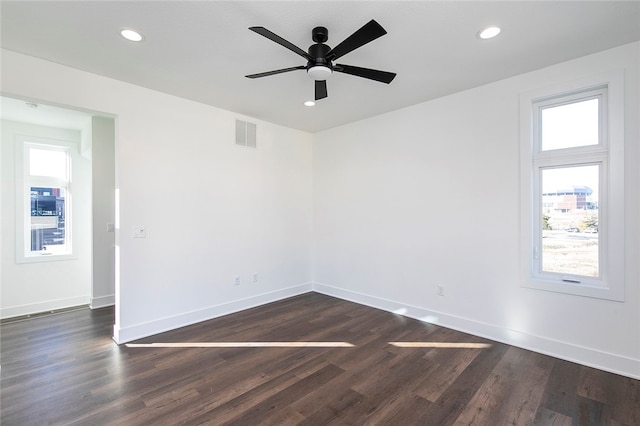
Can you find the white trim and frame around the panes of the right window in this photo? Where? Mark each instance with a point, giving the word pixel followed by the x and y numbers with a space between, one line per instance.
pixel 611 223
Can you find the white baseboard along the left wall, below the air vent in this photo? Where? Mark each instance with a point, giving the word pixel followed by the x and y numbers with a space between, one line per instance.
pixel 138 331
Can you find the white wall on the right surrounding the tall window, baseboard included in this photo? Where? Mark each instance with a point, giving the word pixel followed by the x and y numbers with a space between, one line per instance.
pixel 429 195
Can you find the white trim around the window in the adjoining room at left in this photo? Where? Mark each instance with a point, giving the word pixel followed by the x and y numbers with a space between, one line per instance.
pixel 22 234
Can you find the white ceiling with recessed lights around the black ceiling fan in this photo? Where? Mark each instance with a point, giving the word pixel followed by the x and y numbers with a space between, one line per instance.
pixel 201 50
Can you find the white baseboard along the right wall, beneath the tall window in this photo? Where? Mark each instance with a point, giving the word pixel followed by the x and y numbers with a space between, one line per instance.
pixel 590 357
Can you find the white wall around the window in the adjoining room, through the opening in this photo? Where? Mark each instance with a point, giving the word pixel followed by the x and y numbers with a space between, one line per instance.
pixel 35 287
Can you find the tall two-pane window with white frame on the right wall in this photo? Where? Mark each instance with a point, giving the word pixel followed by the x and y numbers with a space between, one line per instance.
pixel 573 189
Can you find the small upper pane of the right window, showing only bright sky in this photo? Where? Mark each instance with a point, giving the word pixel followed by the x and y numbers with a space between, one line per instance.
pixel 571 125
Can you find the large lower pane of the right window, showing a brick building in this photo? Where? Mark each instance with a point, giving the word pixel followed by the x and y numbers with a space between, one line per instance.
pixel 569 203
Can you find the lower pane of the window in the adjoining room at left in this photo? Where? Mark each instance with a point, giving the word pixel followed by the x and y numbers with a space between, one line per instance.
pixel 48 220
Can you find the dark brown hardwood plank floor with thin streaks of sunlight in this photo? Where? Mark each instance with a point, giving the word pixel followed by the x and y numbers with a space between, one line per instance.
pixel 64 369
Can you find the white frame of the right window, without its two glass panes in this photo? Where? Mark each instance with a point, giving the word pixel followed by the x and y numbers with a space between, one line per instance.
pixel 608 154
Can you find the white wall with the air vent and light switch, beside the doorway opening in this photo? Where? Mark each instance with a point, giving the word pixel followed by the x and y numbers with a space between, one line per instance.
pixel 212 210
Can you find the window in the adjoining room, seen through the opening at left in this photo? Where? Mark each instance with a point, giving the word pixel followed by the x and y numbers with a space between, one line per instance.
pixel 43 216
